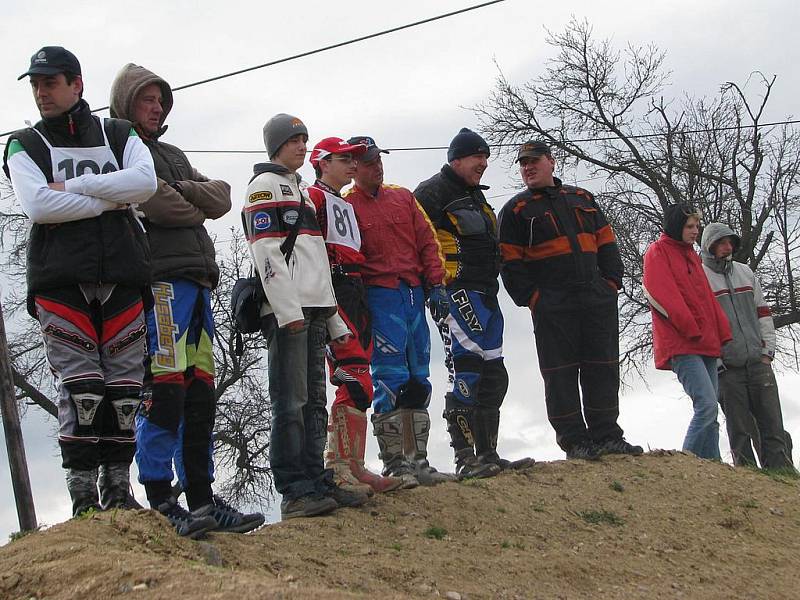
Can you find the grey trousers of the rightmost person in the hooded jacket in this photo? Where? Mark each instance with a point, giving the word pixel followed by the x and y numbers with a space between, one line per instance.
pixel 748 393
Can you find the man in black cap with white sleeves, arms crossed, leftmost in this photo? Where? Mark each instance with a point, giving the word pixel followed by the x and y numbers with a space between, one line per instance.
pixel 78 178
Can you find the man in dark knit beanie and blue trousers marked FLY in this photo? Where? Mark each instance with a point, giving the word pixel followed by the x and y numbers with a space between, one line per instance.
pixel 466 311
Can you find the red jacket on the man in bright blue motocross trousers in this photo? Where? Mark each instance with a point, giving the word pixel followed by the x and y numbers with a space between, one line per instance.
pixel 397 239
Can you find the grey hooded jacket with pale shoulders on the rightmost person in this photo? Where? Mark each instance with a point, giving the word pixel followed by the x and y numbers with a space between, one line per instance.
pixel 739 295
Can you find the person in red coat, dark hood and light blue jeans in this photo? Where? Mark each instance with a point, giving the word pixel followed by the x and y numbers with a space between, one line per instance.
pixel 689 326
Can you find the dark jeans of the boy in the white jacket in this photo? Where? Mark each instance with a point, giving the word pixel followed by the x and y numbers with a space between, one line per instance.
pixel 297 393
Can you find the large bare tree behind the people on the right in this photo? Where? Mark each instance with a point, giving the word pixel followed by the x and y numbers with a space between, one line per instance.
pixel 604 113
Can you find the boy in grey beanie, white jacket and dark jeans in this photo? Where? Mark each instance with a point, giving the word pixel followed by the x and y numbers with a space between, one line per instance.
pixel 299 315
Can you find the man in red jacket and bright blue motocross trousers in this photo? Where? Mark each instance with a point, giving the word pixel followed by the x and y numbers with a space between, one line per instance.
pixel 402 260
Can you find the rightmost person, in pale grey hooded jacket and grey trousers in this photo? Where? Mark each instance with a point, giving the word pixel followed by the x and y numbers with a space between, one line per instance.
pixel 747 387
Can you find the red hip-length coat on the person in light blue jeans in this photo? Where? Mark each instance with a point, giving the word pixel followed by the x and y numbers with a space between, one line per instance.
pixel 687 319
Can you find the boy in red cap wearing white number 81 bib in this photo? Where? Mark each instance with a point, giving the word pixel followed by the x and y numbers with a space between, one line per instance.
pixel 333 160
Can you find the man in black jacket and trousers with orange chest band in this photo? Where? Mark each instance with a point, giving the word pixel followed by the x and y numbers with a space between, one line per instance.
pixel 560 259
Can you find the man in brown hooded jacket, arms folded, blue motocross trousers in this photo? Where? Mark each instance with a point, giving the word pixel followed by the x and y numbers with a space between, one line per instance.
pixel 179 402
